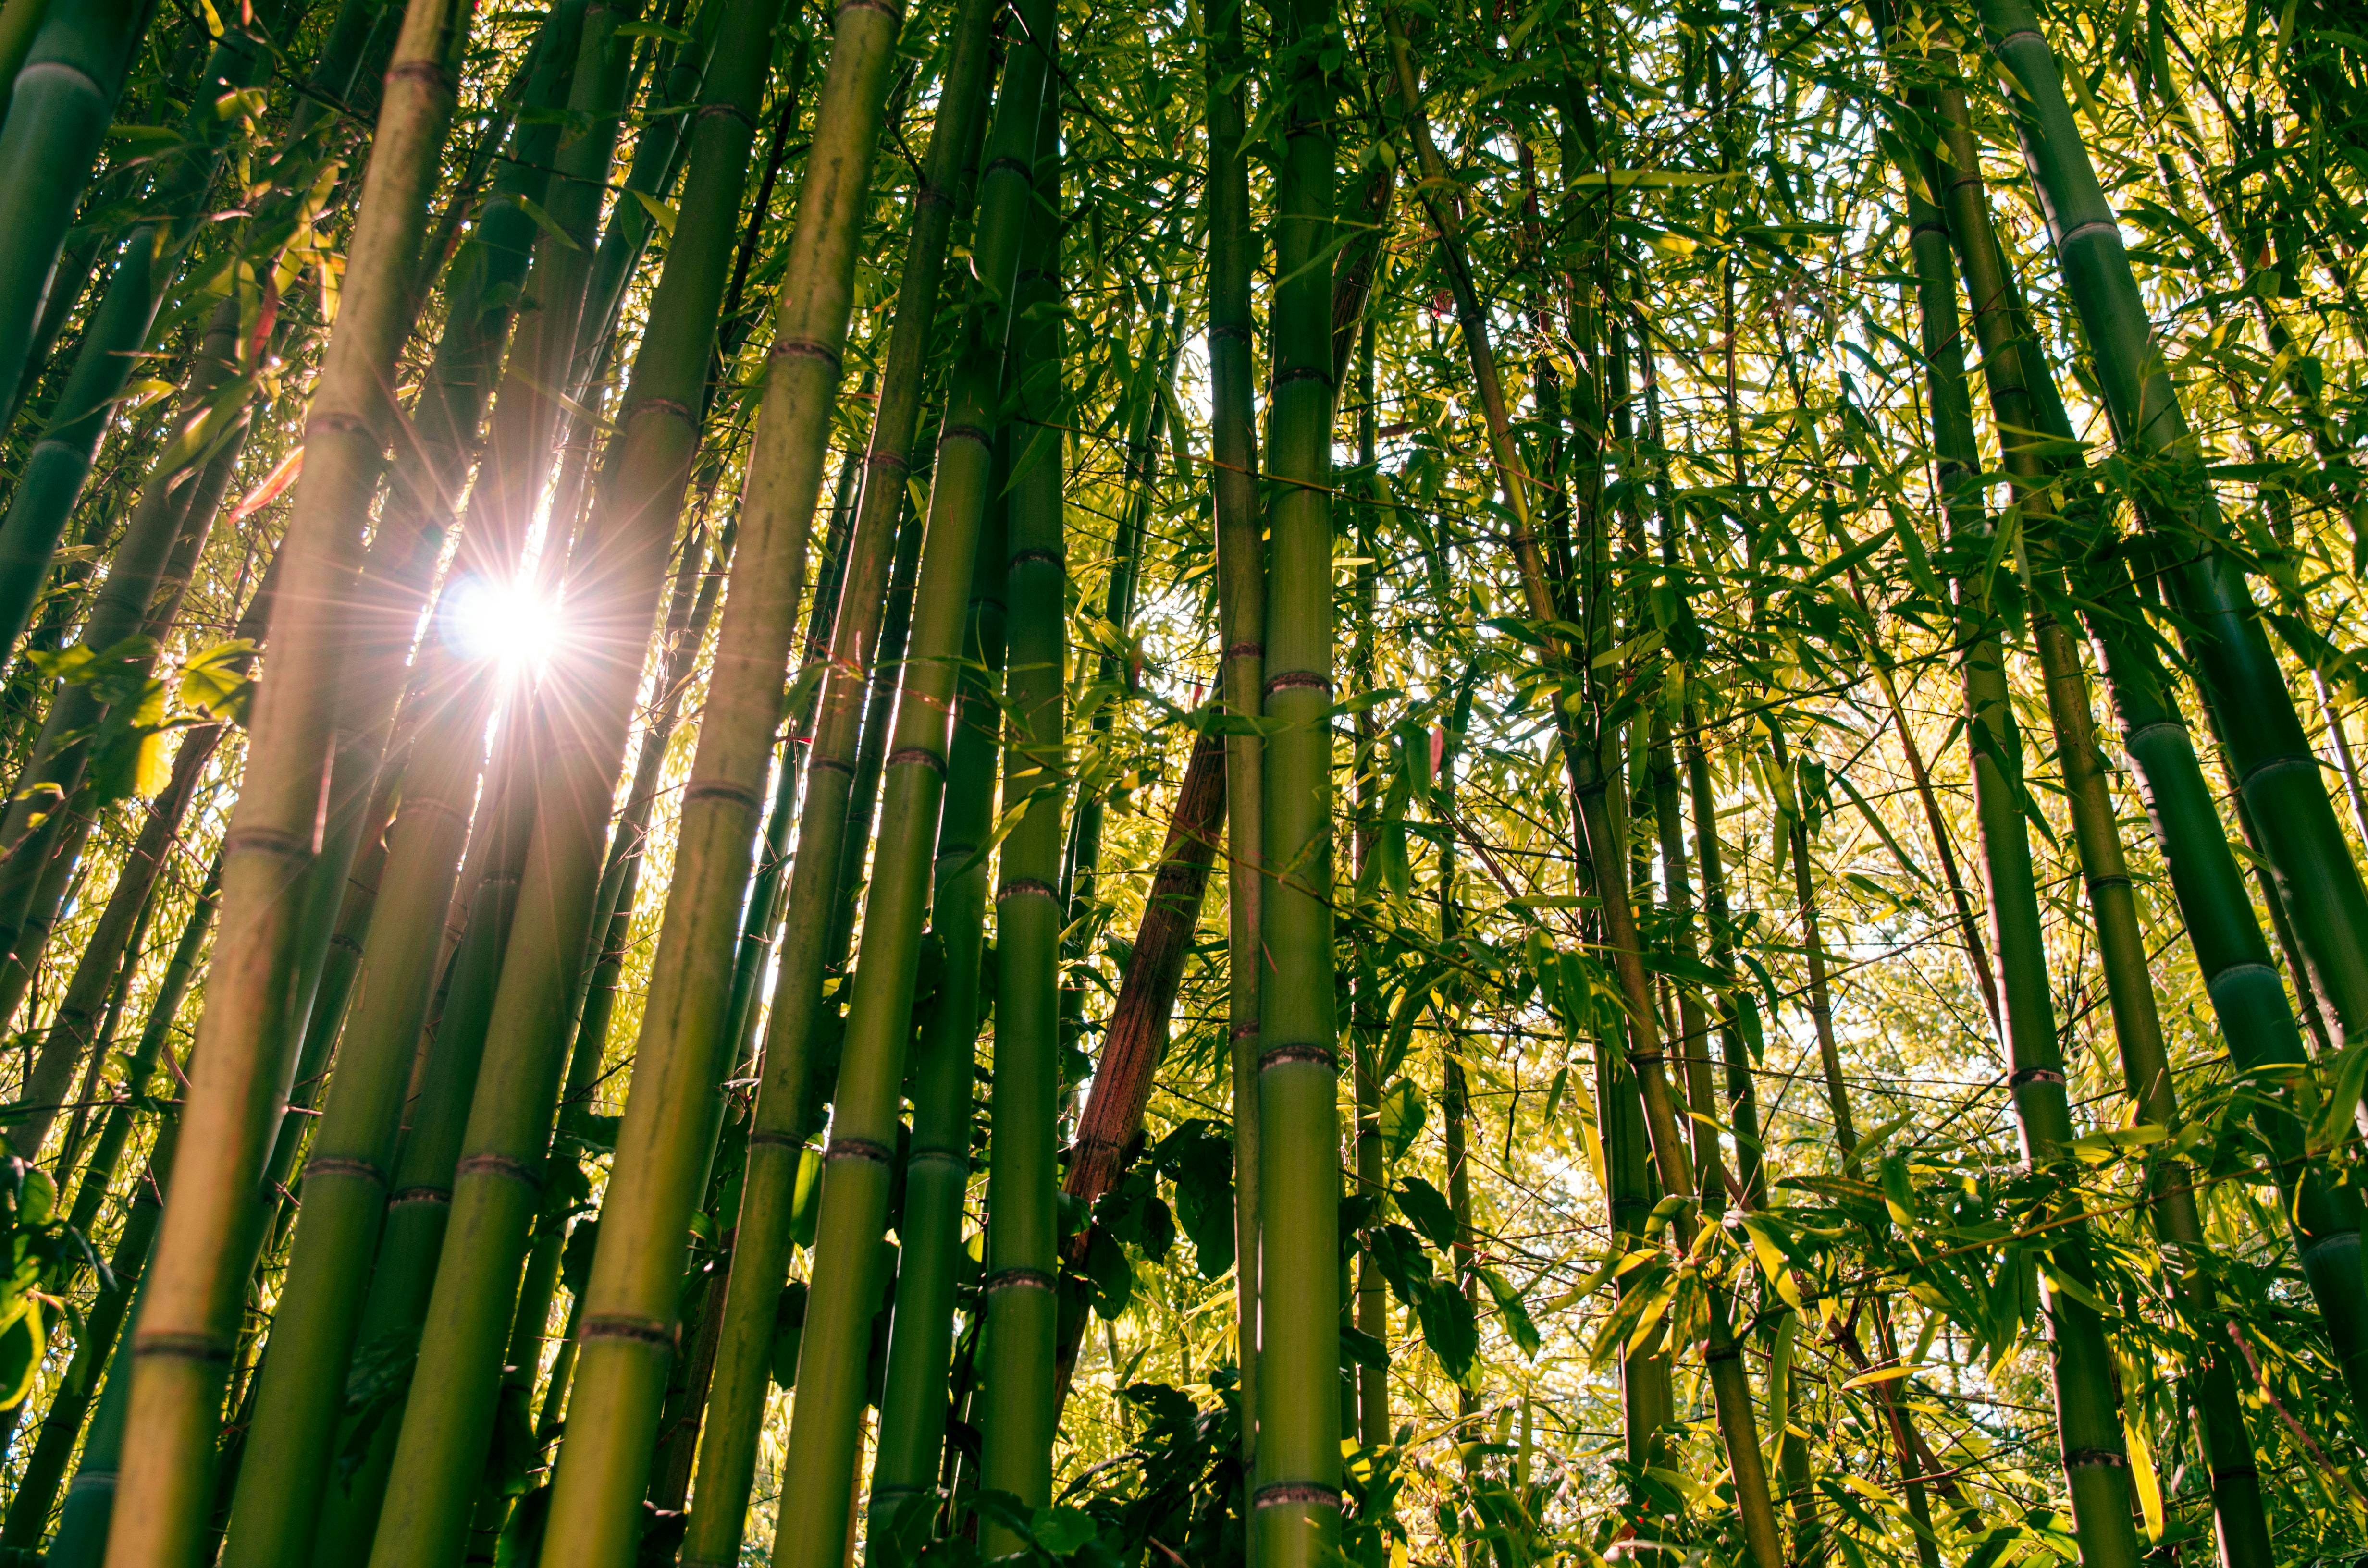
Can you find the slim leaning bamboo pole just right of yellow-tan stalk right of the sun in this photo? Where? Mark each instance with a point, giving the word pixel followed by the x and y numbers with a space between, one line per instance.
pixel 785 1112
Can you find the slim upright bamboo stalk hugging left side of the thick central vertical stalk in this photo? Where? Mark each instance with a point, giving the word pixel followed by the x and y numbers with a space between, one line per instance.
pixel 1242 629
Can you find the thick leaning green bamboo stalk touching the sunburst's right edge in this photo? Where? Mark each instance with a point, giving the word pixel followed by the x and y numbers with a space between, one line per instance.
pixel 617 579
